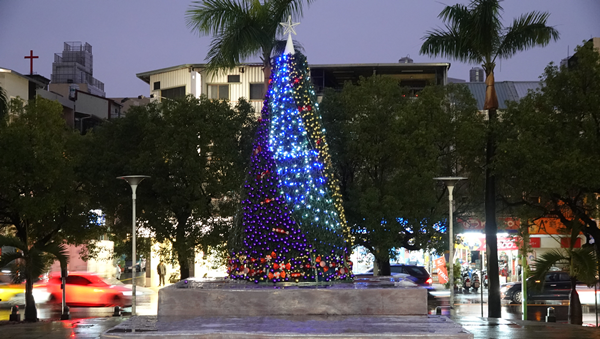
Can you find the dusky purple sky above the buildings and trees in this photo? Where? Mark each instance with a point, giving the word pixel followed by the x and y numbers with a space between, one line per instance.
pixel 133 36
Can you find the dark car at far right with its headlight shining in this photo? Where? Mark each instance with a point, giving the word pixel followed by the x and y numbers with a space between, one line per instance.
pixel 556 287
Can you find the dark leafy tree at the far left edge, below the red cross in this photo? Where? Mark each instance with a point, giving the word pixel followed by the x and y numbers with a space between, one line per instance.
pixel 41 203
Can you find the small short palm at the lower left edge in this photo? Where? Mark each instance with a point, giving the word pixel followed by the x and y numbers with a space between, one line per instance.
pixel 31 263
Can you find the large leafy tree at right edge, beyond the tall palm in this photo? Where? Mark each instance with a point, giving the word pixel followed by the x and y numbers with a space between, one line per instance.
pixel 551 153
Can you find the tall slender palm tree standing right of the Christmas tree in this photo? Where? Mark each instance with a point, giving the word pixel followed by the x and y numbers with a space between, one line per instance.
pixel 475 34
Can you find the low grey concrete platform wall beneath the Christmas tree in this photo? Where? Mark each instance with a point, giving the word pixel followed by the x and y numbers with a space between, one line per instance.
pixel 188 303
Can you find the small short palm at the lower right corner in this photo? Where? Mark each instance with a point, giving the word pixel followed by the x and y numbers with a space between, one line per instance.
pixel 582 267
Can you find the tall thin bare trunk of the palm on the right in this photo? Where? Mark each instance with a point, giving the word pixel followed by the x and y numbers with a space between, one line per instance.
pixel 491 228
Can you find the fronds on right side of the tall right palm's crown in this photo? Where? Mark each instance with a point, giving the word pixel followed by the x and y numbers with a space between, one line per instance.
pixel 527 31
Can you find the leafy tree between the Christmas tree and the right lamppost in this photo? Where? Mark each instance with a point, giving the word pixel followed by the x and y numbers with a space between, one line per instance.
pixel 388 148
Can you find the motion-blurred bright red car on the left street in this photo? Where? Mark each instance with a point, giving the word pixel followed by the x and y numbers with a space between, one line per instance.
pixel 85 289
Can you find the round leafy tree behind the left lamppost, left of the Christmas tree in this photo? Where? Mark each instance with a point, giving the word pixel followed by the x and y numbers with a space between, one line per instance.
pixel 194 150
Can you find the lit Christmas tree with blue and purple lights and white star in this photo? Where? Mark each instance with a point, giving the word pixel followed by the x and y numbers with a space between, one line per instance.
pixel 292 226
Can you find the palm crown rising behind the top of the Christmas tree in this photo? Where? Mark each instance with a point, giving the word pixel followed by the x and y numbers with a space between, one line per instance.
pixel 241 29
